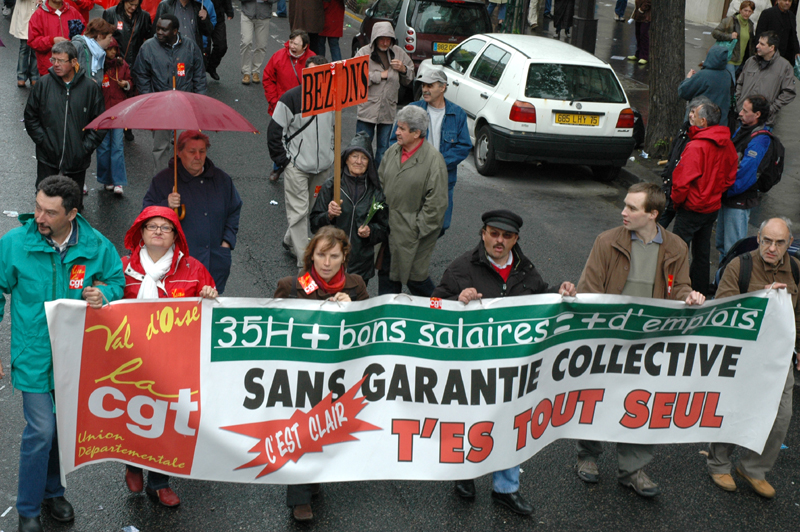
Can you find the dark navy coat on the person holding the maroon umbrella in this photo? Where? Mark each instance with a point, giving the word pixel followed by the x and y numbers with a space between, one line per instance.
pixel 212 214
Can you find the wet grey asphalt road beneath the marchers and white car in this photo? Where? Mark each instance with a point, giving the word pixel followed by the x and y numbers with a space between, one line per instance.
pixel 563 208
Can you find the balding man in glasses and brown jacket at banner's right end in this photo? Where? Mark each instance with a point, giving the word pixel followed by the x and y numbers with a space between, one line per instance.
pixel 770 267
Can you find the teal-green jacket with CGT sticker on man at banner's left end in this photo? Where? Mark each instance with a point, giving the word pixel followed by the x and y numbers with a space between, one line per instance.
pixel 33 273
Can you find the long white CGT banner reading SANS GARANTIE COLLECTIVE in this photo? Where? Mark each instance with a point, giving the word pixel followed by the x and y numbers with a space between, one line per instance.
pixel 292 391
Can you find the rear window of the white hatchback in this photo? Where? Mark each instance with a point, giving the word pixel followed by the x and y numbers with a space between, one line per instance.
pixel 573 82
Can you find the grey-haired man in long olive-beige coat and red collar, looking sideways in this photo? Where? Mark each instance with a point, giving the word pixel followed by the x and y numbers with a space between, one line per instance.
pixel 414 179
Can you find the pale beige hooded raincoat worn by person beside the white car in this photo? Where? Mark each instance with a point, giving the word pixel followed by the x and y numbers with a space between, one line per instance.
pixel 381 104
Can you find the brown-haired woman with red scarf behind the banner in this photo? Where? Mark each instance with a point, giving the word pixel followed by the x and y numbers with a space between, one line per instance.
pixel 323 278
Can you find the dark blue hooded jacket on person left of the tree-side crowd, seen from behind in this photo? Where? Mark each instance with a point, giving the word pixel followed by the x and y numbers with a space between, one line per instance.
pixel 711 83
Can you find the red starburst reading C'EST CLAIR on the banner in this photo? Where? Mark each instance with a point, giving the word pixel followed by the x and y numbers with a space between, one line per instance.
pixel 281 440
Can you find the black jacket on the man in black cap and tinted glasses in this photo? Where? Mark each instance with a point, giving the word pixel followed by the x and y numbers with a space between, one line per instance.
pixel 473 270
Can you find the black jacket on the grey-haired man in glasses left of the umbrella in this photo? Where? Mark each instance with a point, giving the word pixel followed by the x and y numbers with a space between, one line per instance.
pixel 55 117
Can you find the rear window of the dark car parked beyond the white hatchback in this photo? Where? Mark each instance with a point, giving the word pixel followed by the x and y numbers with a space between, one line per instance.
pixel 445 18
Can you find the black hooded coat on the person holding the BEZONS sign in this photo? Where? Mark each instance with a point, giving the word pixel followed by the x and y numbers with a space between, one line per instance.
pixel 362 256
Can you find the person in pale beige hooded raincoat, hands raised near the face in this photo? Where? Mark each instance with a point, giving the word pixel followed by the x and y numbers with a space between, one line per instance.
pixel 389 67
